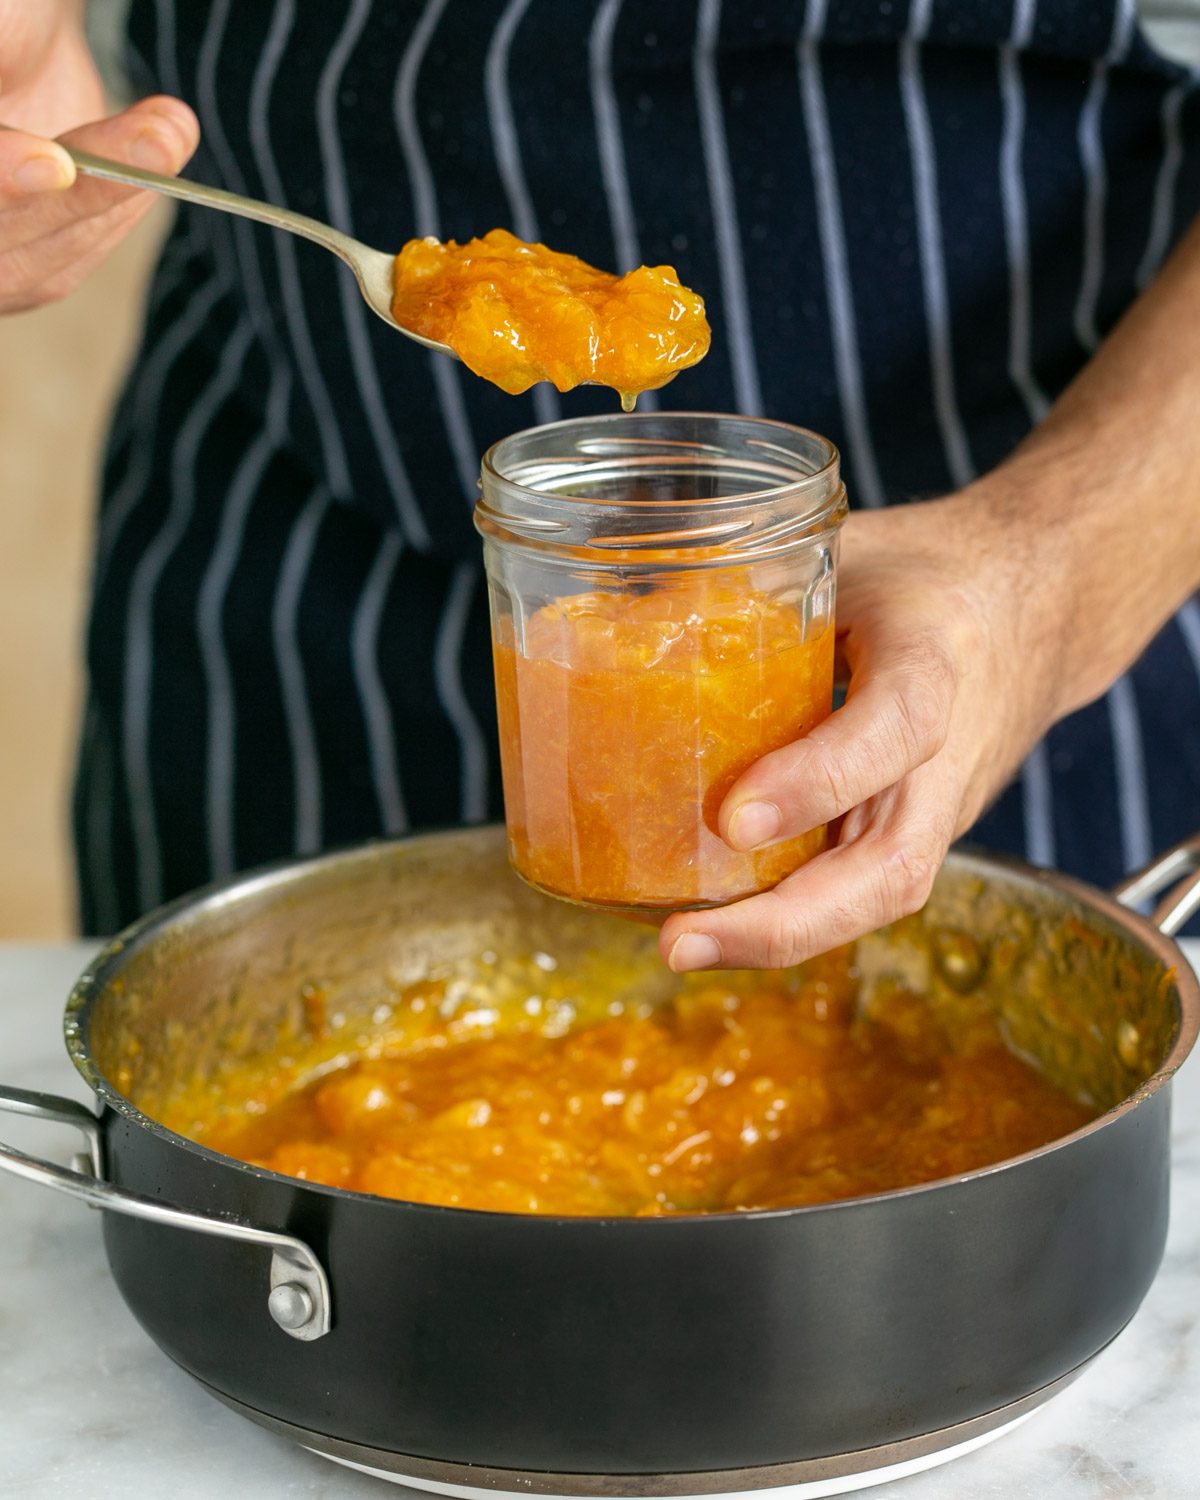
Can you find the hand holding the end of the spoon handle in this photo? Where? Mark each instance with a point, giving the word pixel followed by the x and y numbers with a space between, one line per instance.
pixel 53 229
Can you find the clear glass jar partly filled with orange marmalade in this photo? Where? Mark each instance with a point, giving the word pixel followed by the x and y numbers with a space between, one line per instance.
pixel 662 592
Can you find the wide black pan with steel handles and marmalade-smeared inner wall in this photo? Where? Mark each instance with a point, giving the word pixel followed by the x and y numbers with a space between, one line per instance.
pixel 475 1352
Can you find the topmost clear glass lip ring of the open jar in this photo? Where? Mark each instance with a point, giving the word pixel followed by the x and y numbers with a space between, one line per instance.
pixel 824 476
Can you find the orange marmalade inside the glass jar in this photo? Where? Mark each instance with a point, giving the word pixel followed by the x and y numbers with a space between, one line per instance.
pixel 626 718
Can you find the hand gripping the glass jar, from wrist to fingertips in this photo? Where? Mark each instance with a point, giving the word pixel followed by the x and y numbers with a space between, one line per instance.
pixel 953 677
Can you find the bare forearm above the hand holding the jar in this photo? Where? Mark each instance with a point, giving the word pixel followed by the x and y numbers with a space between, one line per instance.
pixel 1108 490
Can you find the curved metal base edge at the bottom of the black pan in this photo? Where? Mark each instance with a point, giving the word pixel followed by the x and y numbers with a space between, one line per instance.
pixel 808 1480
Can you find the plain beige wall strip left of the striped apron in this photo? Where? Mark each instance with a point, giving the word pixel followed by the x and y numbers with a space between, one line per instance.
pixel 59 371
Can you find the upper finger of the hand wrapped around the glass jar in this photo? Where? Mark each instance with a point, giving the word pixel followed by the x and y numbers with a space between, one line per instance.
pixel 896 718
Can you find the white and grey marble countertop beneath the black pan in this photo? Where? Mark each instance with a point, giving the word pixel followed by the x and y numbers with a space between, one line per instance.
pixel 92 1411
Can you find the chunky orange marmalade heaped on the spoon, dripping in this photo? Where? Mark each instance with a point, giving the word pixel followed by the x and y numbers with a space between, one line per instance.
pixel 518 313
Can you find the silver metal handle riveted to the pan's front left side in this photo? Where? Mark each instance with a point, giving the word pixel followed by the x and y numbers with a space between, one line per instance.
pixel 299 1298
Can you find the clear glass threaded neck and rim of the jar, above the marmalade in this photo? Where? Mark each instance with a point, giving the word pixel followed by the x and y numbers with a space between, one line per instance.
pixel 530 502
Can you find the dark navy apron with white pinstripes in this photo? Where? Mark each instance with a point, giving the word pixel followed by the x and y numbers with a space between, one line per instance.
pixel 913 224
